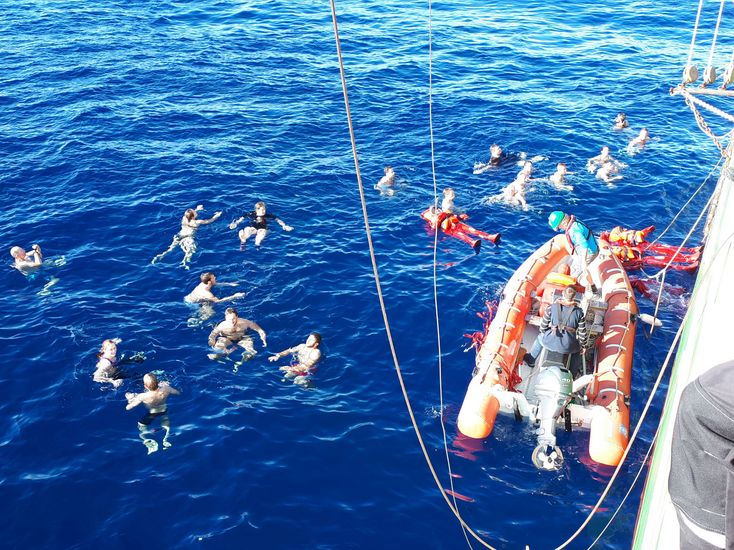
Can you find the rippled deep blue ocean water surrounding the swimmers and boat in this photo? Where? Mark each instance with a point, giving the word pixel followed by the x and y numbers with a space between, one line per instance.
pixel 117 116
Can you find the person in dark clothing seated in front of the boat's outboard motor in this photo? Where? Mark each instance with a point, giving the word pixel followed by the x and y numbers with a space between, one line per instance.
pixel 563 328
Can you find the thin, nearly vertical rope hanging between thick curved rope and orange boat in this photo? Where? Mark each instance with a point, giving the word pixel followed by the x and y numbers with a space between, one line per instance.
pixel 435 265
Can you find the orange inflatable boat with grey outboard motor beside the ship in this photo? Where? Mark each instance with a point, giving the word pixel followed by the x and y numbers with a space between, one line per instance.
pixel 557 391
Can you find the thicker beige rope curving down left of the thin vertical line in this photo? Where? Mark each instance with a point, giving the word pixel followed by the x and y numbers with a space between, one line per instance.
pixel 379 287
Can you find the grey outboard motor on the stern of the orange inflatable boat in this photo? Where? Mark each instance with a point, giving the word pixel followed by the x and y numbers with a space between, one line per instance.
pixel 552 391
